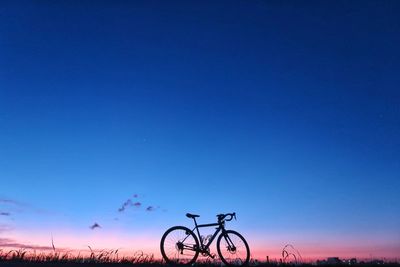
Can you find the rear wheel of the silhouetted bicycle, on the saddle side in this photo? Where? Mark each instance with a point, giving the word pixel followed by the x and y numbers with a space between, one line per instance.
pixel 179 245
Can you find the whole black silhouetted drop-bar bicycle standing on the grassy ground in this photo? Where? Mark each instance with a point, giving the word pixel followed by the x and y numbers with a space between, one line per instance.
pixel 181 245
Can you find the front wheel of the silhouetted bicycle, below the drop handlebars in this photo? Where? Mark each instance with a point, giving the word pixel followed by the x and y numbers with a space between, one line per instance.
pixel 233 249
